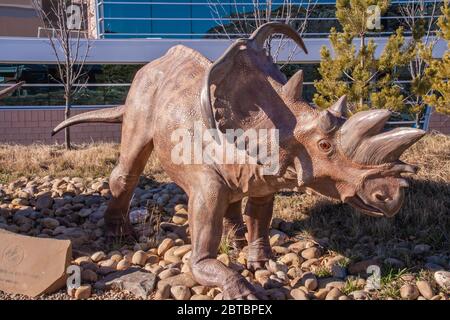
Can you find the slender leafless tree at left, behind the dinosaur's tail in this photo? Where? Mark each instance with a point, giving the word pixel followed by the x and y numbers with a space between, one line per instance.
pixel 67 22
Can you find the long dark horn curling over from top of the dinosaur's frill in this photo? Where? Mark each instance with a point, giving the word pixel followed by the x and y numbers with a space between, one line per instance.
pixel 260 35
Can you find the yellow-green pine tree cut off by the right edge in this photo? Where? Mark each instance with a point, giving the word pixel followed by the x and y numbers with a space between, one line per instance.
pixel 438 71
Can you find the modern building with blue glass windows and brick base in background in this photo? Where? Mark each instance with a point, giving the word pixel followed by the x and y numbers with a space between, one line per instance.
pixel 126 34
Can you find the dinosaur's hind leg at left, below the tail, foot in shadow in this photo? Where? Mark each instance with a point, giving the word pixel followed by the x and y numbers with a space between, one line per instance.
pixel 134 153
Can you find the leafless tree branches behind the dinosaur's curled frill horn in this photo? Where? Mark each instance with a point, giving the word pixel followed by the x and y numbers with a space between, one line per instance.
pixel 241 24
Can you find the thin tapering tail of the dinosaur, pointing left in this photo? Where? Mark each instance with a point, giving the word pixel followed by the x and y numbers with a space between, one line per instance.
pixel 110 115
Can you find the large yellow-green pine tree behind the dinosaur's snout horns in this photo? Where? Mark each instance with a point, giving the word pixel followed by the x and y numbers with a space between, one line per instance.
pixel 353 70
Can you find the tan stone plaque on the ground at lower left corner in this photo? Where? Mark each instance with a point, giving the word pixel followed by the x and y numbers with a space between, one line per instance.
pixel 32 266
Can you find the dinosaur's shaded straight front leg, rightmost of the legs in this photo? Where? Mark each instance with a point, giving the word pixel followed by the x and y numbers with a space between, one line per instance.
pixel 258 214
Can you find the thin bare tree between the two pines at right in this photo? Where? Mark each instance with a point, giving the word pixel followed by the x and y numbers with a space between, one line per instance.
pixel 419 18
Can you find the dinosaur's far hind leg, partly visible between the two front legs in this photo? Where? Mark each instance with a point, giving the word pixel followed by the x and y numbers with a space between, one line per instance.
pixel 233 225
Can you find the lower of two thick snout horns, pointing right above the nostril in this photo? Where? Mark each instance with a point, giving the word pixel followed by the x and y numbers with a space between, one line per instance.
pixel 387 147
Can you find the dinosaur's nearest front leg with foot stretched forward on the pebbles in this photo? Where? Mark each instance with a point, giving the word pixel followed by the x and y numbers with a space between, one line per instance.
pixel 207 206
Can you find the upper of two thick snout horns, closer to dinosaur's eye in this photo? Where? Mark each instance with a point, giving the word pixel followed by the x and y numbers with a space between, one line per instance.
pixel 361 126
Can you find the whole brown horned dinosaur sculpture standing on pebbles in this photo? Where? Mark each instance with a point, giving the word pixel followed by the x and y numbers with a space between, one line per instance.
pixel 347 159
